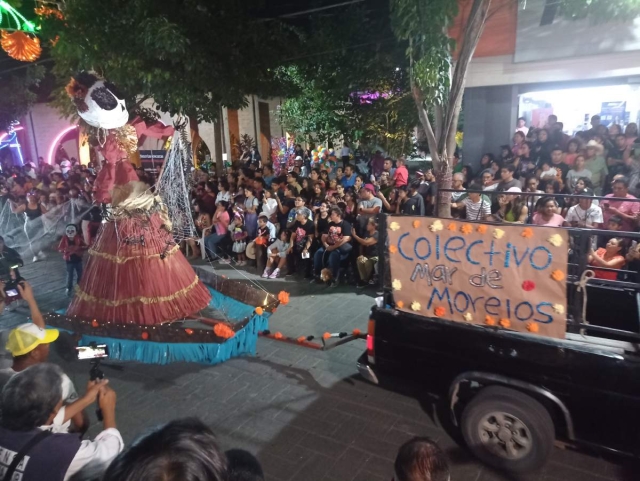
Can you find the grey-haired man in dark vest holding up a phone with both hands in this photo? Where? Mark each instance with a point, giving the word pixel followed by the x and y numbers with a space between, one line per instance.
pixel 29 402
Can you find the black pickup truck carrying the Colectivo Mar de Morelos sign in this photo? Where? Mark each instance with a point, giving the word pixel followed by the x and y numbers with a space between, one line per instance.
pixel 512 394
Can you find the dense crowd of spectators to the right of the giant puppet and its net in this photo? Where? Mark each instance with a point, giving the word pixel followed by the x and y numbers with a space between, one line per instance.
pixel 320 220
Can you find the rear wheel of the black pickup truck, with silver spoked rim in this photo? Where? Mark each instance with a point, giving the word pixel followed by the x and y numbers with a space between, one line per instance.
pixel 508 429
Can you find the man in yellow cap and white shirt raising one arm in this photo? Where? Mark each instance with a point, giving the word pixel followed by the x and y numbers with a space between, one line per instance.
pixel 29 345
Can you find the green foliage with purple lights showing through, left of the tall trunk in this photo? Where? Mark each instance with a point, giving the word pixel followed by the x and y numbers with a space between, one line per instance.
pixel 353 84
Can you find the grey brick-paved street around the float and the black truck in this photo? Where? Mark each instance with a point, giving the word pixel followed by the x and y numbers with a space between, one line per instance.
pixel 305 413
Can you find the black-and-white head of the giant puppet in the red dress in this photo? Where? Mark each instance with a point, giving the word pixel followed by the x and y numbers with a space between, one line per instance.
pixel 98 102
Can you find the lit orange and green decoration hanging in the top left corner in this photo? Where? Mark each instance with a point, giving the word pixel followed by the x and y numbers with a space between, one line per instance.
pixel 17 35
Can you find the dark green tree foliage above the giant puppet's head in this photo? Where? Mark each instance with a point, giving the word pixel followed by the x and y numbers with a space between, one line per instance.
pixel 191 57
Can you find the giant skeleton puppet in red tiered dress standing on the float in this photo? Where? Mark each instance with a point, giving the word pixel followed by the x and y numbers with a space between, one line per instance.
pixel 136 273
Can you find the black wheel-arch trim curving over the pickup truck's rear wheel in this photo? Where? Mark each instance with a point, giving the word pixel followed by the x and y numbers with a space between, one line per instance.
pixel 494 379
